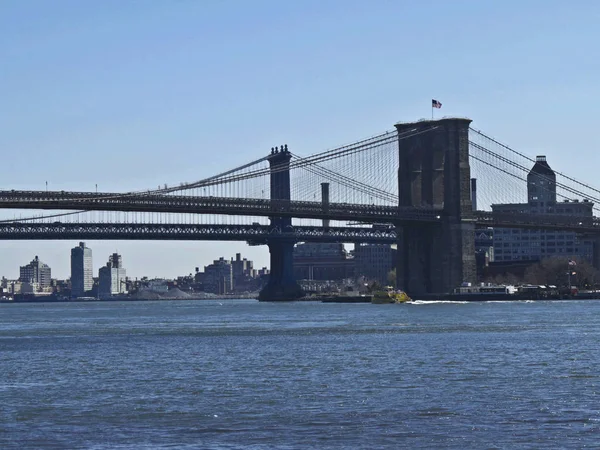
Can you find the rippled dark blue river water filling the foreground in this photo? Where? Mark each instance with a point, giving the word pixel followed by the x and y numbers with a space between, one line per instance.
pixel 242 374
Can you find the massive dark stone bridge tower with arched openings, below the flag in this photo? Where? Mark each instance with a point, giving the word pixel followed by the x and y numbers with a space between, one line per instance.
pixel 434 172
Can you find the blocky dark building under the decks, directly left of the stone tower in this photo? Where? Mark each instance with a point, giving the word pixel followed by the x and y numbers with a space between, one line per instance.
pixel 374 261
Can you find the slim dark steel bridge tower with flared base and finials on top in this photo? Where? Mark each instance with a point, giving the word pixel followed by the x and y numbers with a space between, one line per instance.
pixel 282 284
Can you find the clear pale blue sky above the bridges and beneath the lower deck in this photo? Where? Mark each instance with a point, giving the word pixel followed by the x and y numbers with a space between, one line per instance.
pixel 130 94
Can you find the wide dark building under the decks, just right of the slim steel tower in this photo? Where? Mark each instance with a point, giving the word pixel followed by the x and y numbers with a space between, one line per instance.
pixel 322 261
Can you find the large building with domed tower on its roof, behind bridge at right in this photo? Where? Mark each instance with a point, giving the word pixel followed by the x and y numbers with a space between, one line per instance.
pixel 534 245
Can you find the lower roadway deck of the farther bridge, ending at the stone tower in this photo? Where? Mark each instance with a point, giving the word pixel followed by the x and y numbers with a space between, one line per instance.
pixel 254 234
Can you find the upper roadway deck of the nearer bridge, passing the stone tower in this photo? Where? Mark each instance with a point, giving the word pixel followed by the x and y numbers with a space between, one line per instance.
pixel 152 202
